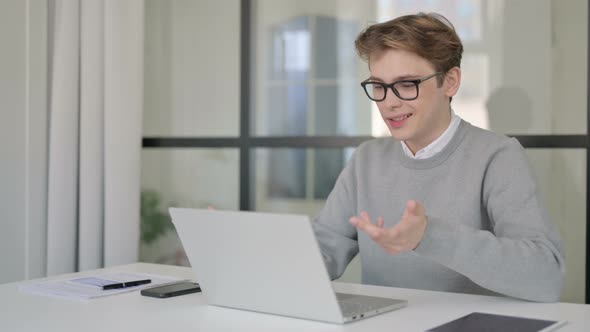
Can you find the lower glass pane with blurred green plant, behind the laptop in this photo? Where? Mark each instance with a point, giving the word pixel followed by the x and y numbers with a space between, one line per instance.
pixel 191 178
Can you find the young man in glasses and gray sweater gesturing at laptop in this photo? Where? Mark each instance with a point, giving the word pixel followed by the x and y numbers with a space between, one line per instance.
pixel 444 205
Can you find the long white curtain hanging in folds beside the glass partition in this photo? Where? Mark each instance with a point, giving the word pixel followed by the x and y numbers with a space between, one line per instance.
pixel 95 89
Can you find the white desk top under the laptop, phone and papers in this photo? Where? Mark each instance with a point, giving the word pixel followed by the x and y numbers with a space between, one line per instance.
pixel 133 312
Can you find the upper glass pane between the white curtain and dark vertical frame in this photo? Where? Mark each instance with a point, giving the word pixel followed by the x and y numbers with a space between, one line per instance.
pixel 192 68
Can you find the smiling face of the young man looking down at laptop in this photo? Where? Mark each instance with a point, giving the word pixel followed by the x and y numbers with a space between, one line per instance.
pixel 417 122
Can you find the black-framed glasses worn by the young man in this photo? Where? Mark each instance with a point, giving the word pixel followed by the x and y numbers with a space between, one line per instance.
pixel 404 90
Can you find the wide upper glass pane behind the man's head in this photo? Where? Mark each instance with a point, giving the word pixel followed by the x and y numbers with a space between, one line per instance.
pixel 307 74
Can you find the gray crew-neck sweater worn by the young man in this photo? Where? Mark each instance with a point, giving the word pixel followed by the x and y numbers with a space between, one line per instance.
pixel 488 230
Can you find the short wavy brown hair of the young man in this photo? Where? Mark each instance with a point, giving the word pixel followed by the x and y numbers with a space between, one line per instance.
pixel 431 36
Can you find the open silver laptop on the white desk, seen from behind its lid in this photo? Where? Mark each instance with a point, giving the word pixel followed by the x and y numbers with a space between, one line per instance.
pixel 268 263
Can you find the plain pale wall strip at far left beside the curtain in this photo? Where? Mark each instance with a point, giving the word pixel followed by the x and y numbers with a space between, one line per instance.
pixel 22 138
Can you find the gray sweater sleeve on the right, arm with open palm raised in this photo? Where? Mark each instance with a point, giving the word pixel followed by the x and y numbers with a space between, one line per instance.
pixel 521 255
